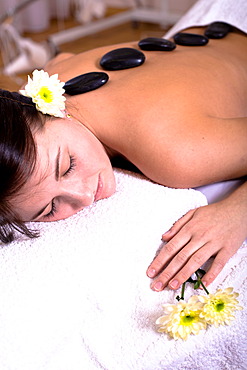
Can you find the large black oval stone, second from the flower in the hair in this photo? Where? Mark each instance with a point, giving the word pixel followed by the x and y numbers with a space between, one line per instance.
pixel 122 58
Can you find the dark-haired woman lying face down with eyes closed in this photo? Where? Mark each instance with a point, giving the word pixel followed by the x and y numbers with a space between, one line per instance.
pixel 179 118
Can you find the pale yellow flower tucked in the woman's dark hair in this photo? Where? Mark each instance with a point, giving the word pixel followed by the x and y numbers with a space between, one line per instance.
pixel 46 92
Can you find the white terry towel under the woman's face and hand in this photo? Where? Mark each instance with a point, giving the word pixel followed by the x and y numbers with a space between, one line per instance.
pixel 78 298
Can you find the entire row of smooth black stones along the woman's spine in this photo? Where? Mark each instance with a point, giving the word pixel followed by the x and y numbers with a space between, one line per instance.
pixel 124 58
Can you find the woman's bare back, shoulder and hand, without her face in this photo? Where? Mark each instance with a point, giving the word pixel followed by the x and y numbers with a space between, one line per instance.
pixel 181 118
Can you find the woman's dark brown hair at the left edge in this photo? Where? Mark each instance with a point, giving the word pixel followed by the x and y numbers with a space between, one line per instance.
pixel 18 116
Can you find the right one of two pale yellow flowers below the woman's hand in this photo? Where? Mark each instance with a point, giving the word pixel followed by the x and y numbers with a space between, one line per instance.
pixel 218 308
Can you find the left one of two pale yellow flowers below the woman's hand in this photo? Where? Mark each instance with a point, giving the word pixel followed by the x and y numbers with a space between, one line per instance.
pixel 182 319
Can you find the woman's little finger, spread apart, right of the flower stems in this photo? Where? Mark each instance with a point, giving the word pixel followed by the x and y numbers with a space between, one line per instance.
pixel 219 262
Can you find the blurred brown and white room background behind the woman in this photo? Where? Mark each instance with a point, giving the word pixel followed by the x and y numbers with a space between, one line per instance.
pixel 34 31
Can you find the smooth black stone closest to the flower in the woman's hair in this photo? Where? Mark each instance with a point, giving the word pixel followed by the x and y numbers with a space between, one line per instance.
pixel 85 83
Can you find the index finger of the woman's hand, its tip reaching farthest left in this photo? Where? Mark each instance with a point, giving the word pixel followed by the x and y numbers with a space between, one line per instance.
pixel 167 252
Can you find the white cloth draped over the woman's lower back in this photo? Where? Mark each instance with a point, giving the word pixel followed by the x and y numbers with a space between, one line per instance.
pixel 205 12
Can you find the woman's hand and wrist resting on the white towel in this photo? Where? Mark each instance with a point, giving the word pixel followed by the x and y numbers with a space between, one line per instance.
pixel 215 230
